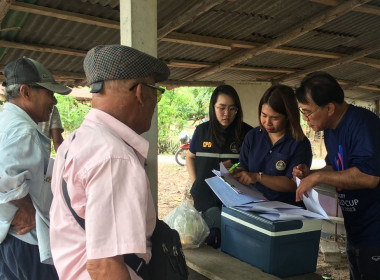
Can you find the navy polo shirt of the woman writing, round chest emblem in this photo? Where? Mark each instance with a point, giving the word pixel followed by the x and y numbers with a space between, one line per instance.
pixel 258 155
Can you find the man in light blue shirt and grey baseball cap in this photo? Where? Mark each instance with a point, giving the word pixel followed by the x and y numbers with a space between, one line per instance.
pixel 25 193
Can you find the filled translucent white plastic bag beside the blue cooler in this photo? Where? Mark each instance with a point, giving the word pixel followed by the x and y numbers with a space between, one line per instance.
pixel 190 225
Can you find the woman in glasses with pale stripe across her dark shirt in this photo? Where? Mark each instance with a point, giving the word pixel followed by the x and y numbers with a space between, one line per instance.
pixel 215 141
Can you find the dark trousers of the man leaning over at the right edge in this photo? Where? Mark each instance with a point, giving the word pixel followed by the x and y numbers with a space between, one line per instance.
pixel 364 263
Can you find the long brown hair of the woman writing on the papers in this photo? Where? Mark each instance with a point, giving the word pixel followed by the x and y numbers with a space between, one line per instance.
pixel 282 100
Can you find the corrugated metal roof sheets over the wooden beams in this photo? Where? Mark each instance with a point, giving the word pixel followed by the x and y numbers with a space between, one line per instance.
pixel 252 21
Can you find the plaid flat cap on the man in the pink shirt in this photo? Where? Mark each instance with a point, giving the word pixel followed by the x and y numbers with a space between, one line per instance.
pixel 117 62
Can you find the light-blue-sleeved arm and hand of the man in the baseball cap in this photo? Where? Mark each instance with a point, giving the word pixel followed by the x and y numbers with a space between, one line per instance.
pixel 20 159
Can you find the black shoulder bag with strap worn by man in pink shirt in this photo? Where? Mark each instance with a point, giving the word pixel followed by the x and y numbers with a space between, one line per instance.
pixel 167 262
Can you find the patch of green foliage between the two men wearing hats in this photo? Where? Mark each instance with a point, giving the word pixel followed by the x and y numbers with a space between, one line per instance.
pixel 72 112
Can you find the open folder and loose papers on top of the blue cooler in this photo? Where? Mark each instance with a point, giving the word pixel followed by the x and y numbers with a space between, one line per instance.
pixel 234 194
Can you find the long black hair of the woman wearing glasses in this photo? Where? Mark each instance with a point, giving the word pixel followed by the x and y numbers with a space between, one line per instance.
pixel 215 127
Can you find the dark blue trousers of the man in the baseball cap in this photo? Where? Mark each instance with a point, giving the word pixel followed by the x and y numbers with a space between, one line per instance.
pixel 21 261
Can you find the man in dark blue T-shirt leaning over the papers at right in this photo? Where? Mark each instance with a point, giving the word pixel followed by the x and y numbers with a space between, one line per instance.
pixel 352 139
